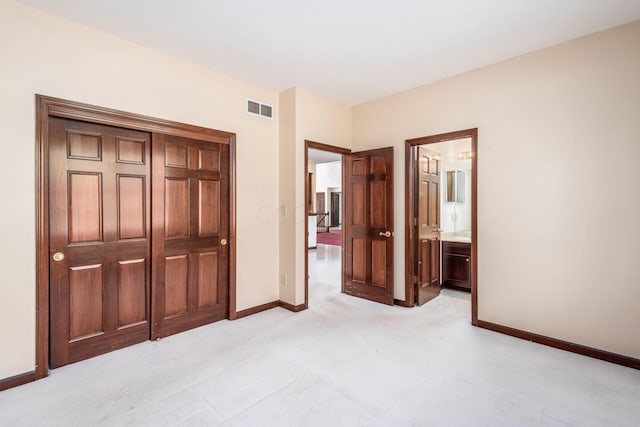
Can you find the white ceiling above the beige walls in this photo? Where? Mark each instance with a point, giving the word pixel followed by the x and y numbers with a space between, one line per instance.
pixel 348 50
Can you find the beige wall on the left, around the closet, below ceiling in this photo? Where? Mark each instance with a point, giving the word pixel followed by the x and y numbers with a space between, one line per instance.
pixel 44 54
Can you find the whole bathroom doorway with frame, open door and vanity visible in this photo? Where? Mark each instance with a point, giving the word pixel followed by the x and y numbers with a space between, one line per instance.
pixel 441 216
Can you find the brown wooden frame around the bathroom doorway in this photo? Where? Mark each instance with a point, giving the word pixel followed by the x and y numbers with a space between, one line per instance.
pixel 410 237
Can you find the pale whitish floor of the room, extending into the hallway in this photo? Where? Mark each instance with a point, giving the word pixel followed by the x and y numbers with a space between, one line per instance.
pixel 342 362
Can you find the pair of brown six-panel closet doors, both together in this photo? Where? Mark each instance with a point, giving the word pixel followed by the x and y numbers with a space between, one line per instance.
pixel 139 225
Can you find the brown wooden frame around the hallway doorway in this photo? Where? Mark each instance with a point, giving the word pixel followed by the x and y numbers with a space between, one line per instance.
pixel 344 154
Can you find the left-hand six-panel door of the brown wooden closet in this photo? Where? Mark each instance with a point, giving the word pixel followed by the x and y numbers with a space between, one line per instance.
pixel 99 239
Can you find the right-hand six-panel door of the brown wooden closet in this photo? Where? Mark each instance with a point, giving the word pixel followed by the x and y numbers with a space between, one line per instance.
pixel 190 278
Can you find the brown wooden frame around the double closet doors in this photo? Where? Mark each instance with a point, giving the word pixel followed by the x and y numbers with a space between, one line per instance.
pixel 54 107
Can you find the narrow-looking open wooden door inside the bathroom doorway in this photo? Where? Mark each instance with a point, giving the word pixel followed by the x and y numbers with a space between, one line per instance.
pixel 428 225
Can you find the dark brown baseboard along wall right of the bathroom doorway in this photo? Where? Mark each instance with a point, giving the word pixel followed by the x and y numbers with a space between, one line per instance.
pixel 563 345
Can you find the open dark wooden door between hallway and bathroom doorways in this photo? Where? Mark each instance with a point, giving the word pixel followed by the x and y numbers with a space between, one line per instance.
pixel 368 226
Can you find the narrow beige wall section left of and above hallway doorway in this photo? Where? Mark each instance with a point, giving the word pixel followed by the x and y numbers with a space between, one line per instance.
pixel 317 119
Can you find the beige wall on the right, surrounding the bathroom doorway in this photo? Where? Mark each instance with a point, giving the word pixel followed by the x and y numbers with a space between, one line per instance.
pixel 558 235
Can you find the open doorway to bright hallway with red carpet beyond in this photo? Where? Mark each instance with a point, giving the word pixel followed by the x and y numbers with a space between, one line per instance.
pixel 324 212
